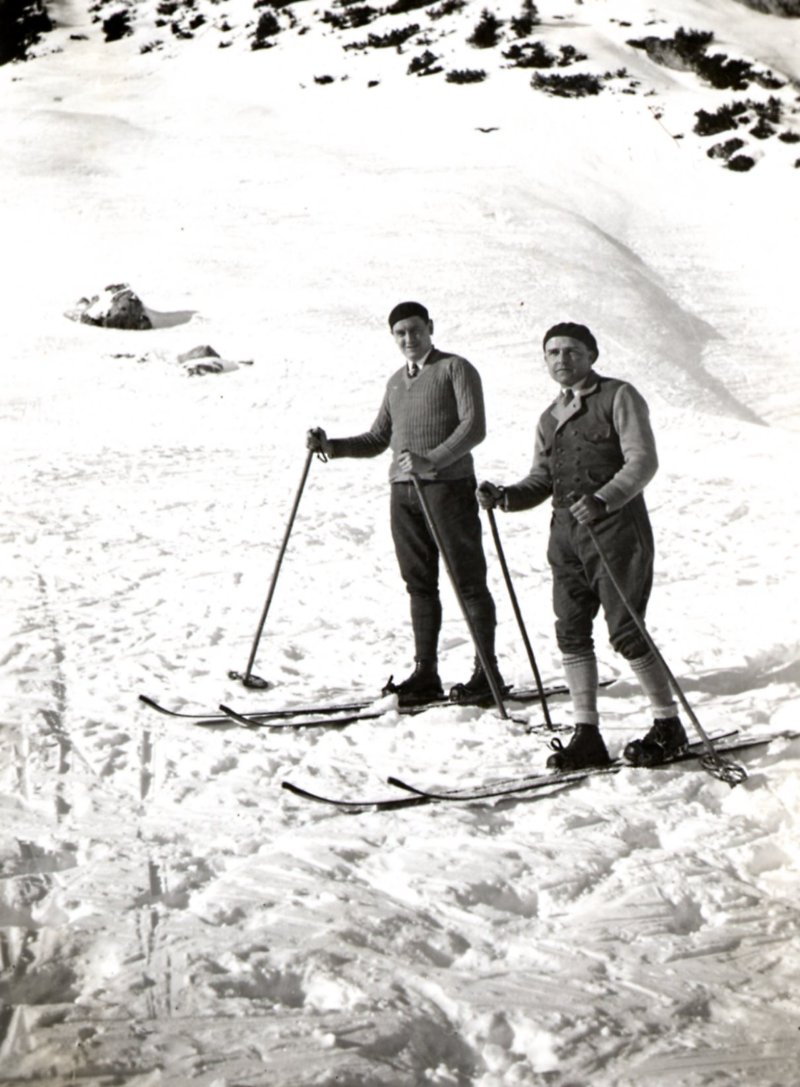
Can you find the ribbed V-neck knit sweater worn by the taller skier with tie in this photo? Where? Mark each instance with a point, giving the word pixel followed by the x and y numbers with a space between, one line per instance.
pixel 439 415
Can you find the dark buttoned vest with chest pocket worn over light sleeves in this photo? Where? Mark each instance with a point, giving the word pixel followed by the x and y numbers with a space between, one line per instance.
pixel 584 449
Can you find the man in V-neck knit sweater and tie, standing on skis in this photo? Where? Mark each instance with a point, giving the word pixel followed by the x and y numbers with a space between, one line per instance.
pixel 432 417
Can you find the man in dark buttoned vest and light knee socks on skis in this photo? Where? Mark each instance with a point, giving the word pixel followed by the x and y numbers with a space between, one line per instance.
pixel 595 454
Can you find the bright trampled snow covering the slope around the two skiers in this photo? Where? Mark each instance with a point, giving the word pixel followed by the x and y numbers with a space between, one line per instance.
pixel 169 915
